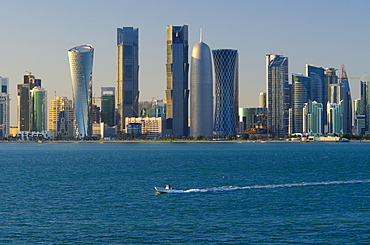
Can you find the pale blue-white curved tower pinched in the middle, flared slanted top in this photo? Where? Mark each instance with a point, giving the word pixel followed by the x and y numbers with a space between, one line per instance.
pixel 81 63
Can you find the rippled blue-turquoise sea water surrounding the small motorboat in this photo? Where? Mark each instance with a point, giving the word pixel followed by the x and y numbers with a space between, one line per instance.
pixel 234 193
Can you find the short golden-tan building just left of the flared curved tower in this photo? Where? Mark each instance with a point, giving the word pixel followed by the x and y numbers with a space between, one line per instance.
pixel 61 118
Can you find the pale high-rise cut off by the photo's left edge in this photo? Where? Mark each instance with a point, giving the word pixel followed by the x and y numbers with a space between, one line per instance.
pixel 4 107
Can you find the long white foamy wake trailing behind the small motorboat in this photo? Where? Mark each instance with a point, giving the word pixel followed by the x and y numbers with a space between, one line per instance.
pixel 232 188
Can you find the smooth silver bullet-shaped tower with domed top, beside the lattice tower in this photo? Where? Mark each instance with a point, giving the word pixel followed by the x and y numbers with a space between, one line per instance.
pixel 201 91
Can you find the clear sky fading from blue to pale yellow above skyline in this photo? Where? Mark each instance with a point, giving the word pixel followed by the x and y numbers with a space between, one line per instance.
pixel 36 35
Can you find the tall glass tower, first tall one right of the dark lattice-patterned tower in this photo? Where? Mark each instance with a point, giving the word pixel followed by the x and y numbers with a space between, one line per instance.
pixel 278 94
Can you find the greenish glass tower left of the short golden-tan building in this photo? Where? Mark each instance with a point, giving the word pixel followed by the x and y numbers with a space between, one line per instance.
pixel 38 119
